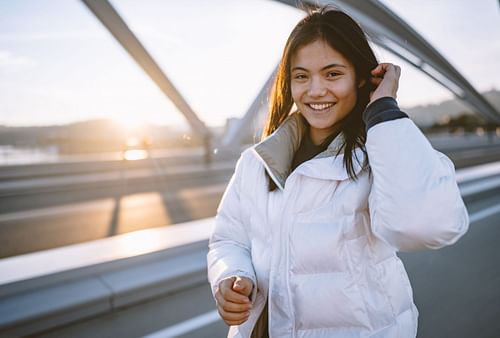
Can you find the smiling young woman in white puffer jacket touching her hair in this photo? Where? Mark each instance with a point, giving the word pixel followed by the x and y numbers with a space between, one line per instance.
pixel 307 231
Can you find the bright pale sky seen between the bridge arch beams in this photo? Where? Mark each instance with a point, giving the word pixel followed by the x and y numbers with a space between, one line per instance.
pixel 58 64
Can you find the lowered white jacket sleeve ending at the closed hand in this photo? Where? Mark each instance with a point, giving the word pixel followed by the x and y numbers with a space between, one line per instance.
pixel 229 245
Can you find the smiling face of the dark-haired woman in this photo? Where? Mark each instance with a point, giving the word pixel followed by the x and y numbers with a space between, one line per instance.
pixel 324 88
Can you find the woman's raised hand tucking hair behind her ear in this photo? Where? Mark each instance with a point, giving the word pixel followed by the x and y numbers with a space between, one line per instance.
pixel 386 81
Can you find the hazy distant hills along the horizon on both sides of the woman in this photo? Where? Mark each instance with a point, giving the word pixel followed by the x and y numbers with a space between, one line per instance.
pixel 106 135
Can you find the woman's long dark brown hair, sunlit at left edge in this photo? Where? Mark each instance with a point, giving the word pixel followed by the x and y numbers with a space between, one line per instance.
pixel 344 35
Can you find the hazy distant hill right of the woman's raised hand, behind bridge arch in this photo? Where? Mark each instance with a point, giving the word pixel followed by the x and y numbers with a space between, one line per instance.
pixel 427 115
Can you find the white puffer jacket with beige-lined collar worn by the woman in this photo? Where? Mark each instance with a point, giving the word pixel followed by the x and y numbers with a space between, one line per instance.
pixel 322 247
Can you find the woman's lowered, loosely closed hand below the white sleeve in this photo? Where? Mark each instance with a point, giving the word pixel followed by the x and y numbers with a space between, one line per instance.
pixel 232 298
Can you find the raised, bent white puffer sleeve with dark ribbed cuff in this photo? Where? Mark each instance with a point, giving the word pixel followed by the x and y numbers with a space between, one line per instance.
pixel 414 201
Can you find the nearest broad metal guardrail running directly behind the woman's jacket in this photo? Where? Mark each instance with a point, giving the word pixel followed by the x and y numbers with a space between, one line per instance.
pixel 48 289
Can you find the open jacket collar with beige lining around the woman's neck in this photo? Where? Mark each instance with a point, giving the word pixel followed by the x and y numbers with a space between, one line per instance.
pixel 276 153
